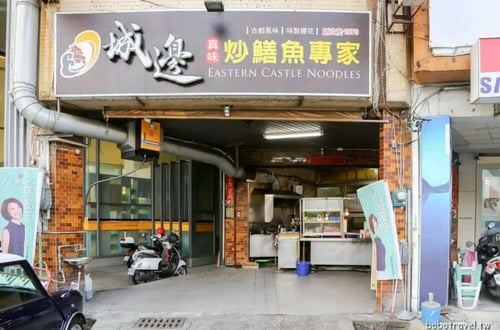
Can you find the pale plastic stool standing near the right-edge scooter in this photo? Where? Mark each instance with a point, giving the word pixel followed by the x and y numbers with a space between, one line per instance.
pixel 467 285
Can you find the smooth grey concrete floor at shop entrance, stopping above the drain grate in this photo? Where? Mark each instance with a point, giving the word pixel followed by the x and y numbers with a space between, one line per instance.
pixel 209 289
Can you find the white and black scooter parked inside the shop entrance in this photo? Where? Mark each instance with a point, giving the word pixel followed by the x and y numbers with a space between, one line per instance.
pixel 152 266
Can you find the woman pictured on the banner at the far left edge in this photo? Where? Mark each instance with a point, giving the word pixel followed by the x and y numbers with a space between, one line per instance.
pixel 13 234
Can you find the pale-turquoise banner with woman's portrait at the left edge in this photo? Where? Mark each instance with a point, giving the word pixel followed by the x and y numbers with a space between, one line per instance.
pixel 20 191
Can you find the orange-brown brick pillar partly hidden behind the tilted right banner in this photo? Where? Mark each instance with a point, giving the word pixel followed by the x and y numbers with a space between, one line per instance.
pixel 395 168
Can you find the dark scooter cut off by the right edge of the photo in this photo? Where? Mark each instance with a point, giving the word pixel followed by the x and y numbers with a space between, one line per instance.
pixel 488 255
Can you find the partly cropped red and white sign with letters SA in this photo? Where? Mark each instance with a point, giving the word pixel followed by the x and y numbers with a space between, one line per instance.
pixel 485 71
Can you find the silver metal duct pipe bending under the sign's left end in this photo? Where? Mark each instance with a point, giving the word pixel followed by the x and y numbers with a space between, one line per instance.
pixel 24 89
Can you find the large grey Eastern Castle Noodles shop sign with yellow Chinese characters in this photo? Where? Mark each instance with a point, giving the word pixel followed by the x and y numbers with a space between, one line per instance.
pixel 162 53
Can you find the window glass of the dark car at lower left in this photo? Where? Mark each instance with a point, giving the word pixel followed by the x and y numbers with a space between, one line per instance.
pixel 16 287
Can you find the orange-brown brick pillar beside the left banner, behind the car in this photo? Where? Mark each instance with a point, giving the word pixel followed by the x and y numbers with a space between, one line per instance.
pixel 66 214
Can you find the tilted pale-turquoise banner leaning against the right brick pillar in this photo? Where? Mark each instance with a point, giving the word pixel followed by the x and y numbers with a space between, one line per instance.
pixel 377 207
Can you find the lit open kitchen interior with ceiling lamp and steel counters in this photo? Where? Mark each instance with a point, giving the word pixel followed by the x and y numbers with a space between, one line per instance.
pixel 290 175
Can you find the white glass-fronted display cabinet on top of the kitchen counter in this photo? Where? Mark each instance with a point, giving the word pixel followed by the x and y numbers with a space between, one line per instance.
pixel 322 217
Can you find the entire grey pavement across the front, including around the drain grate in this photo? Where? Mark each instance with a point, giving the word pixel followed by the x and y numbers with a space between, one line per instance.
pixel 228 298
